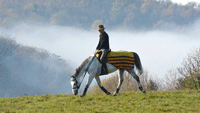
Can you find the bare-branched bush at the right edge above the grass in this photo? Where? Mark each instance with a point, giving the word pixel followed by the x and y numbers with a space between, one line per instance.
pixel 186 76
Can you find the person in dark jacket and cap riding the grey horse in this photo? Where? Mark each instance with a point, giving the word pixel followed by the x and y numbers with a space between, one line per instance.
pixel 103 46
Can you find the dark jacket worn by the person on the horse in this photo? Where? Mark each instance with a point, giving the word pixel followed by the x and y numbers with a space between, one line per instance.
pixel 103 41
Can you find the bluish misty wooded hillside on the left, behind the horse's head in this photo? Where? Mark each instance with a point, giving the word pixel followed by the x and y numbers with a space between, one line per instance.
pixel 31 71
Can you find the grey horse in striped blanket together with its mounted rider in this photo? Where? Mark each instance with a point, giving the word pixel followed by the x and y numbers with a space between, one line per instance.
pixel 120 60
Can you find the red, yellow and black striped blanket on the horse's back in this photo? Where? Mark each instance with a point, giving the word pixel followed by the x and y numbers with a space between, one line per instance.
pixel 121 59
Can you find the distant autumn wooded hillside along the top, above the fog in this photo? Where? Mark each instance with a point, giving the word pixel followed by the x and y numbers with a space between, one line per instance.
pixel 150 14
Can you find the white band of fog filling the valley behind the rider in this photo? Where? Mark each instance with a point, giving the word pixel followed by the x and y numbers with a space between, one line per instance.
pixel 159 50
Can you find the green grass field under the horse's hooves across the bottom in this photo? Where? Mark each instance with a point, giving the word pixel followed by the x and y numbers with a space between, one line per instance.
pixel 160 101
